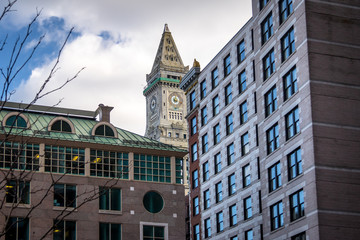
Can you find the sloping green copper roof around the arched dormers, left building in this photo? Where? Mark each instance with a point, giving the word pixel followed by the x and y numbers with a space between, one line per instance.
pixel 39 123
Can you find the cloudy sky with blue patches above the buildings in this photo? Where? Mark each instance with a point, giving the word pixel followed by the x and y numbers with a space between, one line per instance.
pixel 115 41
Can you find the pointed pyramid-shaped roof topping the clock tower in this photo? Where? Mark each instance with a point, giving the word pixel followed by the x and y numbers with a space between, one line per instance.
pixel 167 56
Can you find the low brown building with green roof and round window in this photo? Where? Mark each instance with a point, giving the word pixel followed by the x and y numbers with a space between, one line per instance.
pixel 74 175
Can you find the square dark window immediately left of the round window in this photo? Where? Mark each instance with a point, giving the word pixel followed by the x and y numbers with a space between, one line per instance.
pixel 110 199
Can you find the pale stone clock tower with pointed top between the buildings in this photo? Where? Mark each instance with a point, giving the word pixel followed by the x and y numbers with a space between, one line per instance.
pixel 165 101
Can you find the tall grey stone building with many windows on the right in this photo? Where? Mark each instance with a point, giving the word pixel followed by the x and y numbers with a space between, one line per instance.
pixel 274 126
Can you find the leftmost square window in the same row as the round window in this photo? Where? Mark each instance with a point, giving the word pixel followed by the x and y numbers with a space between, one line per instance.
pixel 17 192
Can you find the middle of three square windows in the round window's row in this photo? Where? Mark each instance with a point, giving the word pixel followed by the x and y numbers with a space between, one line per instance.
pixel 64 195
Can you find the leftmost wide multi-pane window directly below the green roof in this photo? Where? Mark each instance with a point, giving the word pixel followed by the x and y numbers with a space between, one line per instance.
pixel 19 156
